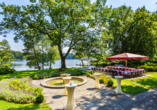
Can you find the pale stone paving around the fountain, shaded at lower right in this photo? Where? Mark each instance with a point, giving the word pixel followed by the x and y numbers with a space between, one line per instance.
pixel 88 98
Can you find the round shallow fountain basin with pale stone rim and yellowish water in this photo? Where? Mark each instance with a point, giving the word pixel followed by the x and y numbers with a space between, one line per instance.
pixel 57 82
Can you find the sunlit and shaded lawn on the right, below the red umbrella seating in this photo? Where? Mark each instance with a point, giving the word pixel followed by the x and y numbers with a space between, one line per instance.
pixel 131 86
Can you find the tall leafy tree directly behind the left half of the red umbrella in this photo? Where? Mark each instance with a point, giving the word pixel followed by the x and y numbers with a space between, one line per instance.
pixel 119 23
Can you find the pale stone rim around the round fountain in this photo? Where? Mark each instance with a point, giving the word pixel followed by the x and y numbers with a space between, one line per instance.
pixel 44 82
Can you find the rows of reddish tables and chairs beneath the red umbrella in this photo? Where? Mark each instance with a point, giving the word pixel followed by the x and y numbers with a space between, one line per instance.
pixel 126 72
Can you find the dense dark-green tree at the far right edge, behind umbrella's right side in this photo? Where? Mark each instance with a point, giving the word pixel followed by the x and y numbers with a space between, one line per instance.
pixel 143 33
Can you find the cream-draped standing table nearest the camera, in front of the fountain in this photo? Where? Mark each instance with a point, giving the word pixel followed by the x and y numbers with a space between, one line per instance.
pixel 70 103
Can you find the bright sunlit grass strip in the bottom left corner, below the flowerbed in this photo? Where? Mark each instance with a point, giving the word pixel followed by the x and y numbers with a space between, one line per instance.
pixel 4 105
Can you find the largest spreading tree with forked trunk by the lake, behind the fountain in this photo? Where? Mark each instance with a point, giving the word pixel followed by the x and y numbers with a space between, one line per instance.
pixel 65 22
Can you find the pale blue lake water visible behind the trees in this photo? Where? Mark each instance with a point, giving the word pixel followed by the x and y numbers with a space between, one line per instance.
pixel 21 64
